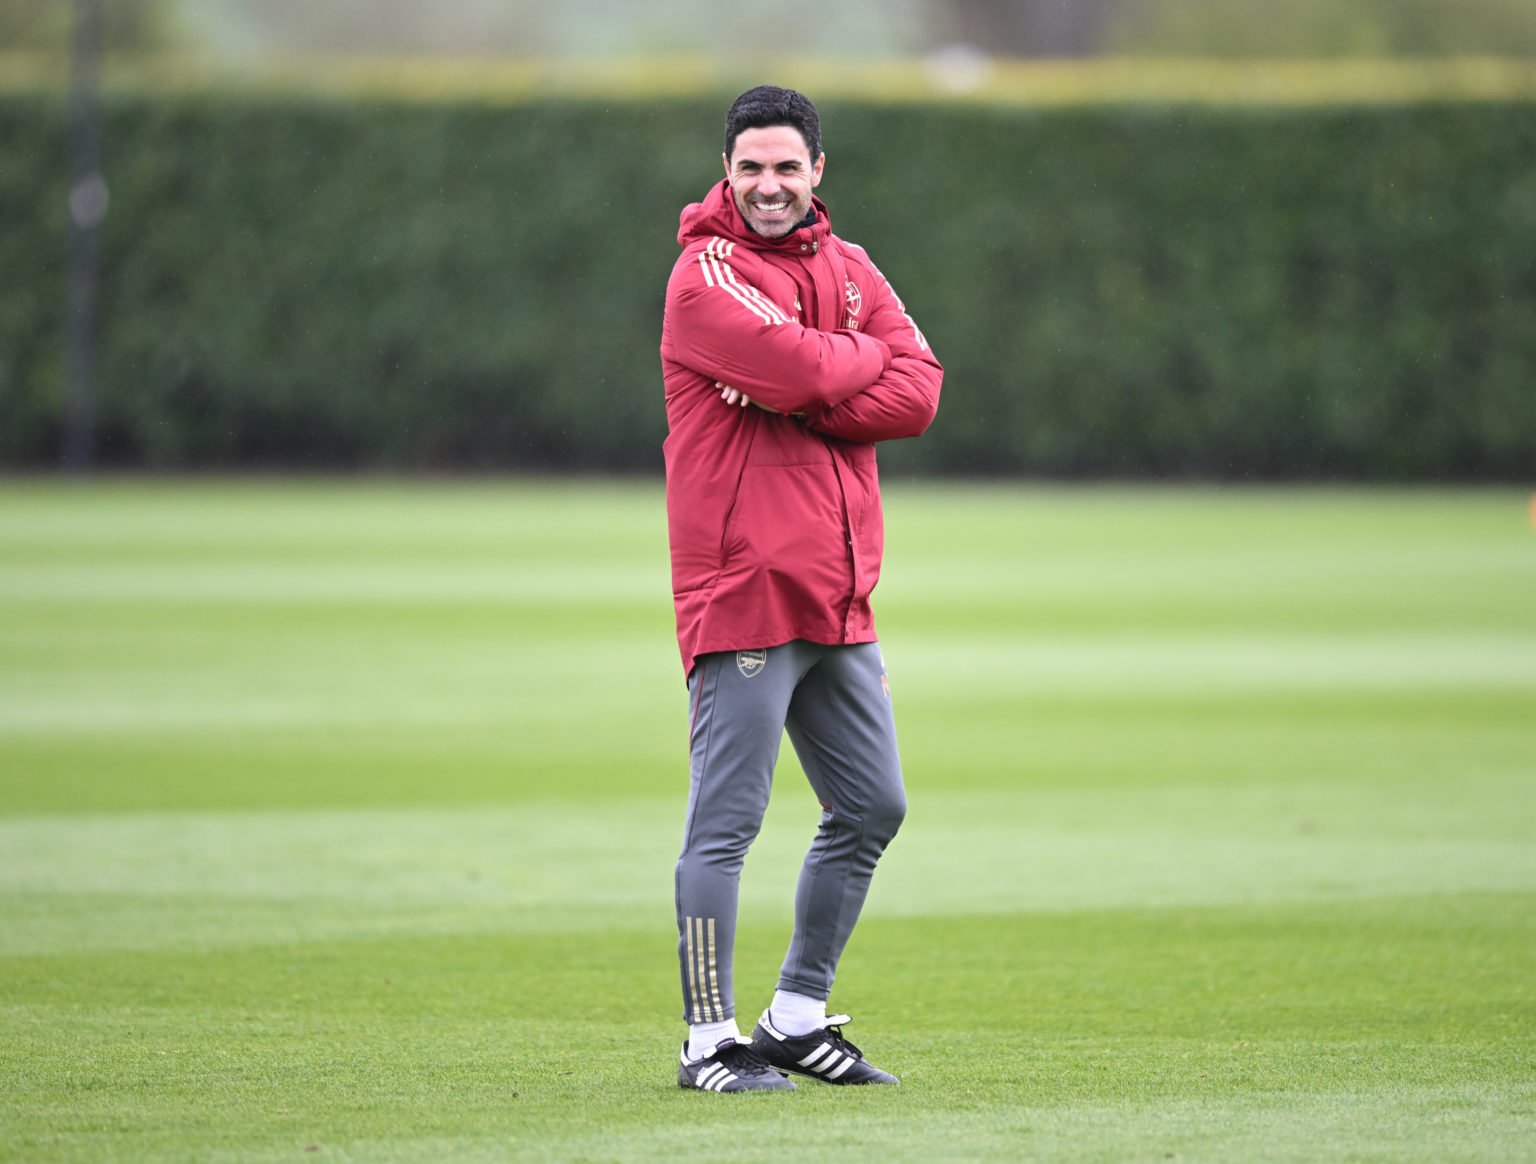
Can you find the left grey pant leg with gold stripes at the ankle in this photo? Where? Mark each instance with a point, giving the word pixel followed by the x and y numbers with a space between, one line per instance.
pixel 740 703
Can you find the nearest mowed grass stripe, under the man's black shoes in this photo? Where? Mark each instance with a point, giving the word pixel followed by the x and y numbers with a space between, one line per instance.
pixel 1202 1033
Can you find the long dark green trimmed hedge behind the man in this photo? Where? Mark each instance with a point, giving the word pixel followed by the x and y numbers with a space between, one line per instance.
pixel 1114 291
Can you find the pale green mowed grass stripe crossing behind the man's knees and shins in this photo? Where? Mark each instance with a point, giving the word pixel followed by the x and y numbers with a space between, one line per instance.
pixel 190 881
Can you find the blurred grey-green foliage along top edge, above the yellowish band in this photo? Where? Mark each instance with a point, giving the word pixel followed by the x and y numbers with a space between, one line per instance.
pixel 855 30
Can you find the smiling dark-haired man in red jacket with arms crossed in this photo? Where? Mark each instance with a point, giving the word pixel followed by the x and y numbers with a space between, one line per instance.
pixel 787 357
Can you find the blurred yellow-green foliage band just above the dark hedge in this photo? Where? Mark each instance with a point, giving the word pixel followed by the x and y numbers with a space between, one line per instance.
pixel 959 78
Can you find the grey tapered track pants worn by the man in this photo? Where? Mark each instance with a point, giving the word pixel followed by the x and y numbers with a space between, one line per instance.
pixel 836 704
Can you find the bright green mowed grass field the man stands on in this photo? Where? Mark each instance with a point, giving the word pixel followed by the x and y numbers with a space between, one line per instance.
pixel 337 822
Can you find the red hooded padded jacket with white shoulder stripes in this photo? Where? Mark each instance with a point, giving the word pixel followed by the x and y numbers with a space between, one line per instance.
pixel 775 520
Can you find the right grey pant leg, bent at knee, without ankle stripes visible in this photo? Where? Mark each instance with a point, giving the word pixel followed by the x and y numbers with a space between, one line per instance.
pixel 844 732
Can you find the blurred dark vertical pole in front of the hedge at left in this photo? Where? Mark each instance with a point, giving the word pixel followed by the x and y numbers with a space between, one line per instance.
pixel 88 199
